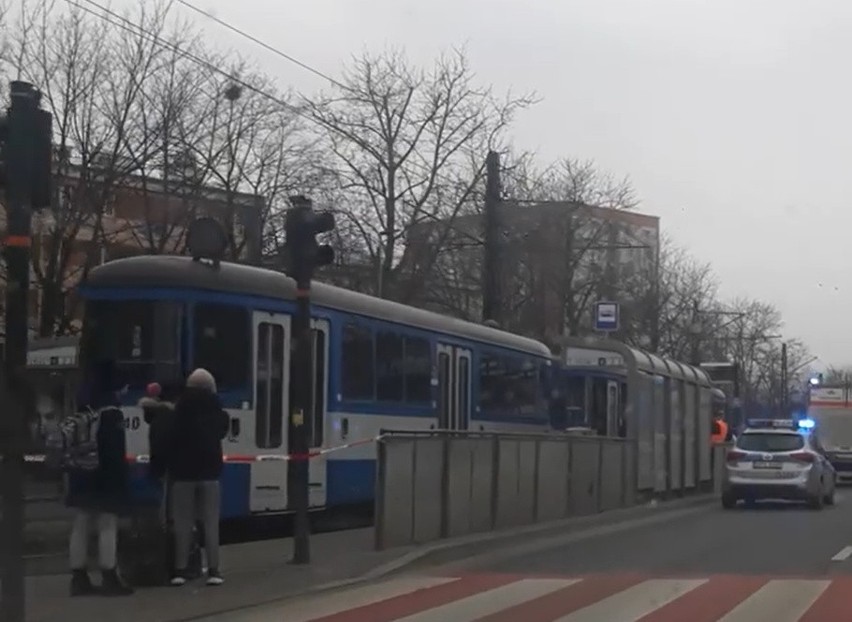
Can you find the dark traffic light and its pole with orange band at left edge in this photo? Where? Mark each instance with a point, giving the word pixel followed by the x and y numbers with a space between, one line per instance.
pixel 25 172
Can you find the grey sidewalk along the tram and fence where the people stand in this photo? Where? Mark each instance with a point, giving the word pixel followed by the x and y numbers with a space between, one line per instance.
pixel 257 573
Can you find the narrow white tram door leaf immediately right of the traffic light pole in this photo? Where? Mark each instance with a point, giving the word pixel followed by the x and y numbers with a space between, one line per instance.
pixel 317 418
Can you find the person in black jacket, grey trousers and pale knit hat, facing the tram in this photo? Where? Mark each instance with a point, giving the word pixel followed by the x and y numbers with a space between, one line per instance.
pixel 193 466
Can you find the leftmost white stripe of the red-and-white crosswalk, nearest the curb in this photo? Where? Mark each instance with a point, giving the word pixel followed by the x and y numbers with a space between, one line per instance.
pixel 312 607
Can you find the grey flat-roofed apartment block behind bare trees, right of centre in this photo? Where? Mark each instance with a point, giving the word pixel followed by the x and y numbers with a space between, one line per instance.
pixel 555 260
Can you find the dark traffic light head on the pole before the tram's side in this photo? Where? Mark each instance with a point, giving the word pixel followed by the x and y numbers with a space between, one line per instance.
pixel 304 253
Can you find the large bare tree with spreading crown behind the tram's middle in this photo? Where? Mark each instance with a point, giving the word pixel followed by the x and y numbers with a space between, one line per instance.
pixel 403 140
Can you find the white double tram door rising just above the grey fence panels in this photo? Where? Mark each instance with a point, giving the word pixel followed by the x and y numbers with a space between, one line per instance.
pixel 454 379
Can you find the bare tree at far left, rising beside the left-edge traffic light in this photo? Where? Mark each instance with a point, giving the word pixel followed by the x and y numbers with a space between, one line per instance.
pixel 93 78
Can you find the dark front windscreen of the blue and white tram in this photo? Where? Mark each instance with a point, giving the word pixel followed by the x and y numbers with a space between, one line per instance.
pixel 141 337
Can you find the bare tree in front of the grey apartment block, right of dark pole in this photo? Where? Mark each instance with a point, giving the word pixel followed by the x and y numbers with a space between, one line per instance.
pixel 570 247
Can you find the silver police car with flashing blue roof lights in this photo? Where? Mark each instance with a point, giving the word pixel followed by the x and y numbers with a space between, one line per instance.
pixel 778 459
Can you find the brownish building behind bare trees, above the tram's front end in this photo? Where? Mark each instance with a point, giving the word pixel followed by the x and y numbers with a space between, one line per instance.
pixel 95 218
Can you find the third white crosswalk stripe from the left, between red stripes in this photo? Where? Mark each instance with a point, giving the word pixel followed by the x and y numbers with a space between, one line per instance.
pixel 635 602
